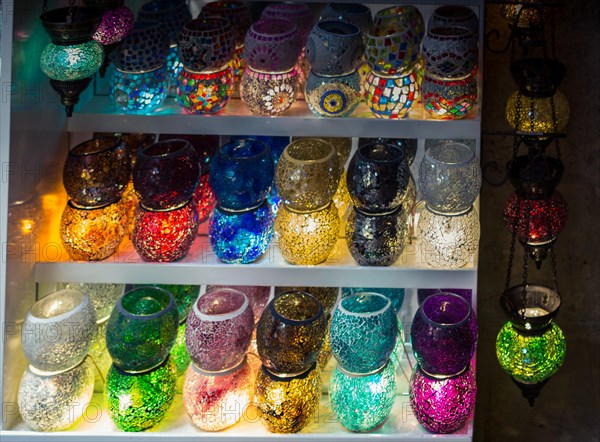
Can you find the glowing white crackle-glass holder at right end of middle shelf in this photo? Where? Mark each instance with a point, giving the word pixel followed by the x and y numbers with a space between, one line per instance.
pixel 448 241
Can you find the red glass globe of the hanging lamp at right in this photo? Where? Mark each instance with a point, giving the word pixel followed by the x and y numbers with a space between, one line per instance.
pixel 547 217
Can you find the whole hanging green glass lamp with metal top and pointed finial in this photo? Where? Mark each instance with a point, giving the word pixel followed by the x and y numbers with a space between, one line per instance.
pixel 530 347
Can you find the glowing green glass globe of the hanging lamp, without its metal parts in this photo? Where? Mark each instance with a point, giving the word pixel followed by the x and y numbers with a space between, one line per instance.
pixel 530 358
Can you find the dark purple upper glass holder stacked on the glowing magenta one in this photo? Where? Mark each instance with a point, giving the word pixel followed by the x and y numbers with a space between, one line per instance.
pixel 444 334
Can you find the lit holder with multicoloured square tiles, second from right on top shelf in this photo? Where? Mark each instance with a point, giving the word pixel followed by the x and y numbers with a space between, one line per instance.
pixel 391 97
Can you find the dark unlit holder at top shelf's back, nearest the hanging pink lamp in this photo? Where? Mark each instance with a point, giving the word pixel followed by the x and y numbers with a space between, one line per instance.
pixel 171 15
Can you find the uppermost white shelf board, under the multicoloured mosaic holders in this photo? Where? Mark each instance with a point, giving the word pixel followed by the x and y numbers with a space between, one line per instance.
pixel 100 115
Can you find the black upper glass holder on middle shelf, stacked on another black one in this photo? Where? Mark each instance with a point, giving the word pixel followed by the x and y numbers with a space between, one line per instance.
pixel 378 177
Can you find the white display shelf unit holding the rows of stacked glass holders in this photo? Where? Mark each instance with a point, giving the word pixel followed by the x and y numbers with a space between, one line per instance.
pixel 32 202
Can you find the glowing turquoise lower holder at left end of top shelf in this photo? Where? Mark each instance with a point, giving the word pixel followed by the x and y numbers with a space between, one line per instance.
pixel 138 92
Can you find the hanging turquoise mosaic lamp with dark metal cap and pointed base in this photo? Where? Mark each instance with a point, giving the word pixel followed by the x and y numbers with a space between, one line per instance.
pixel 73 56
